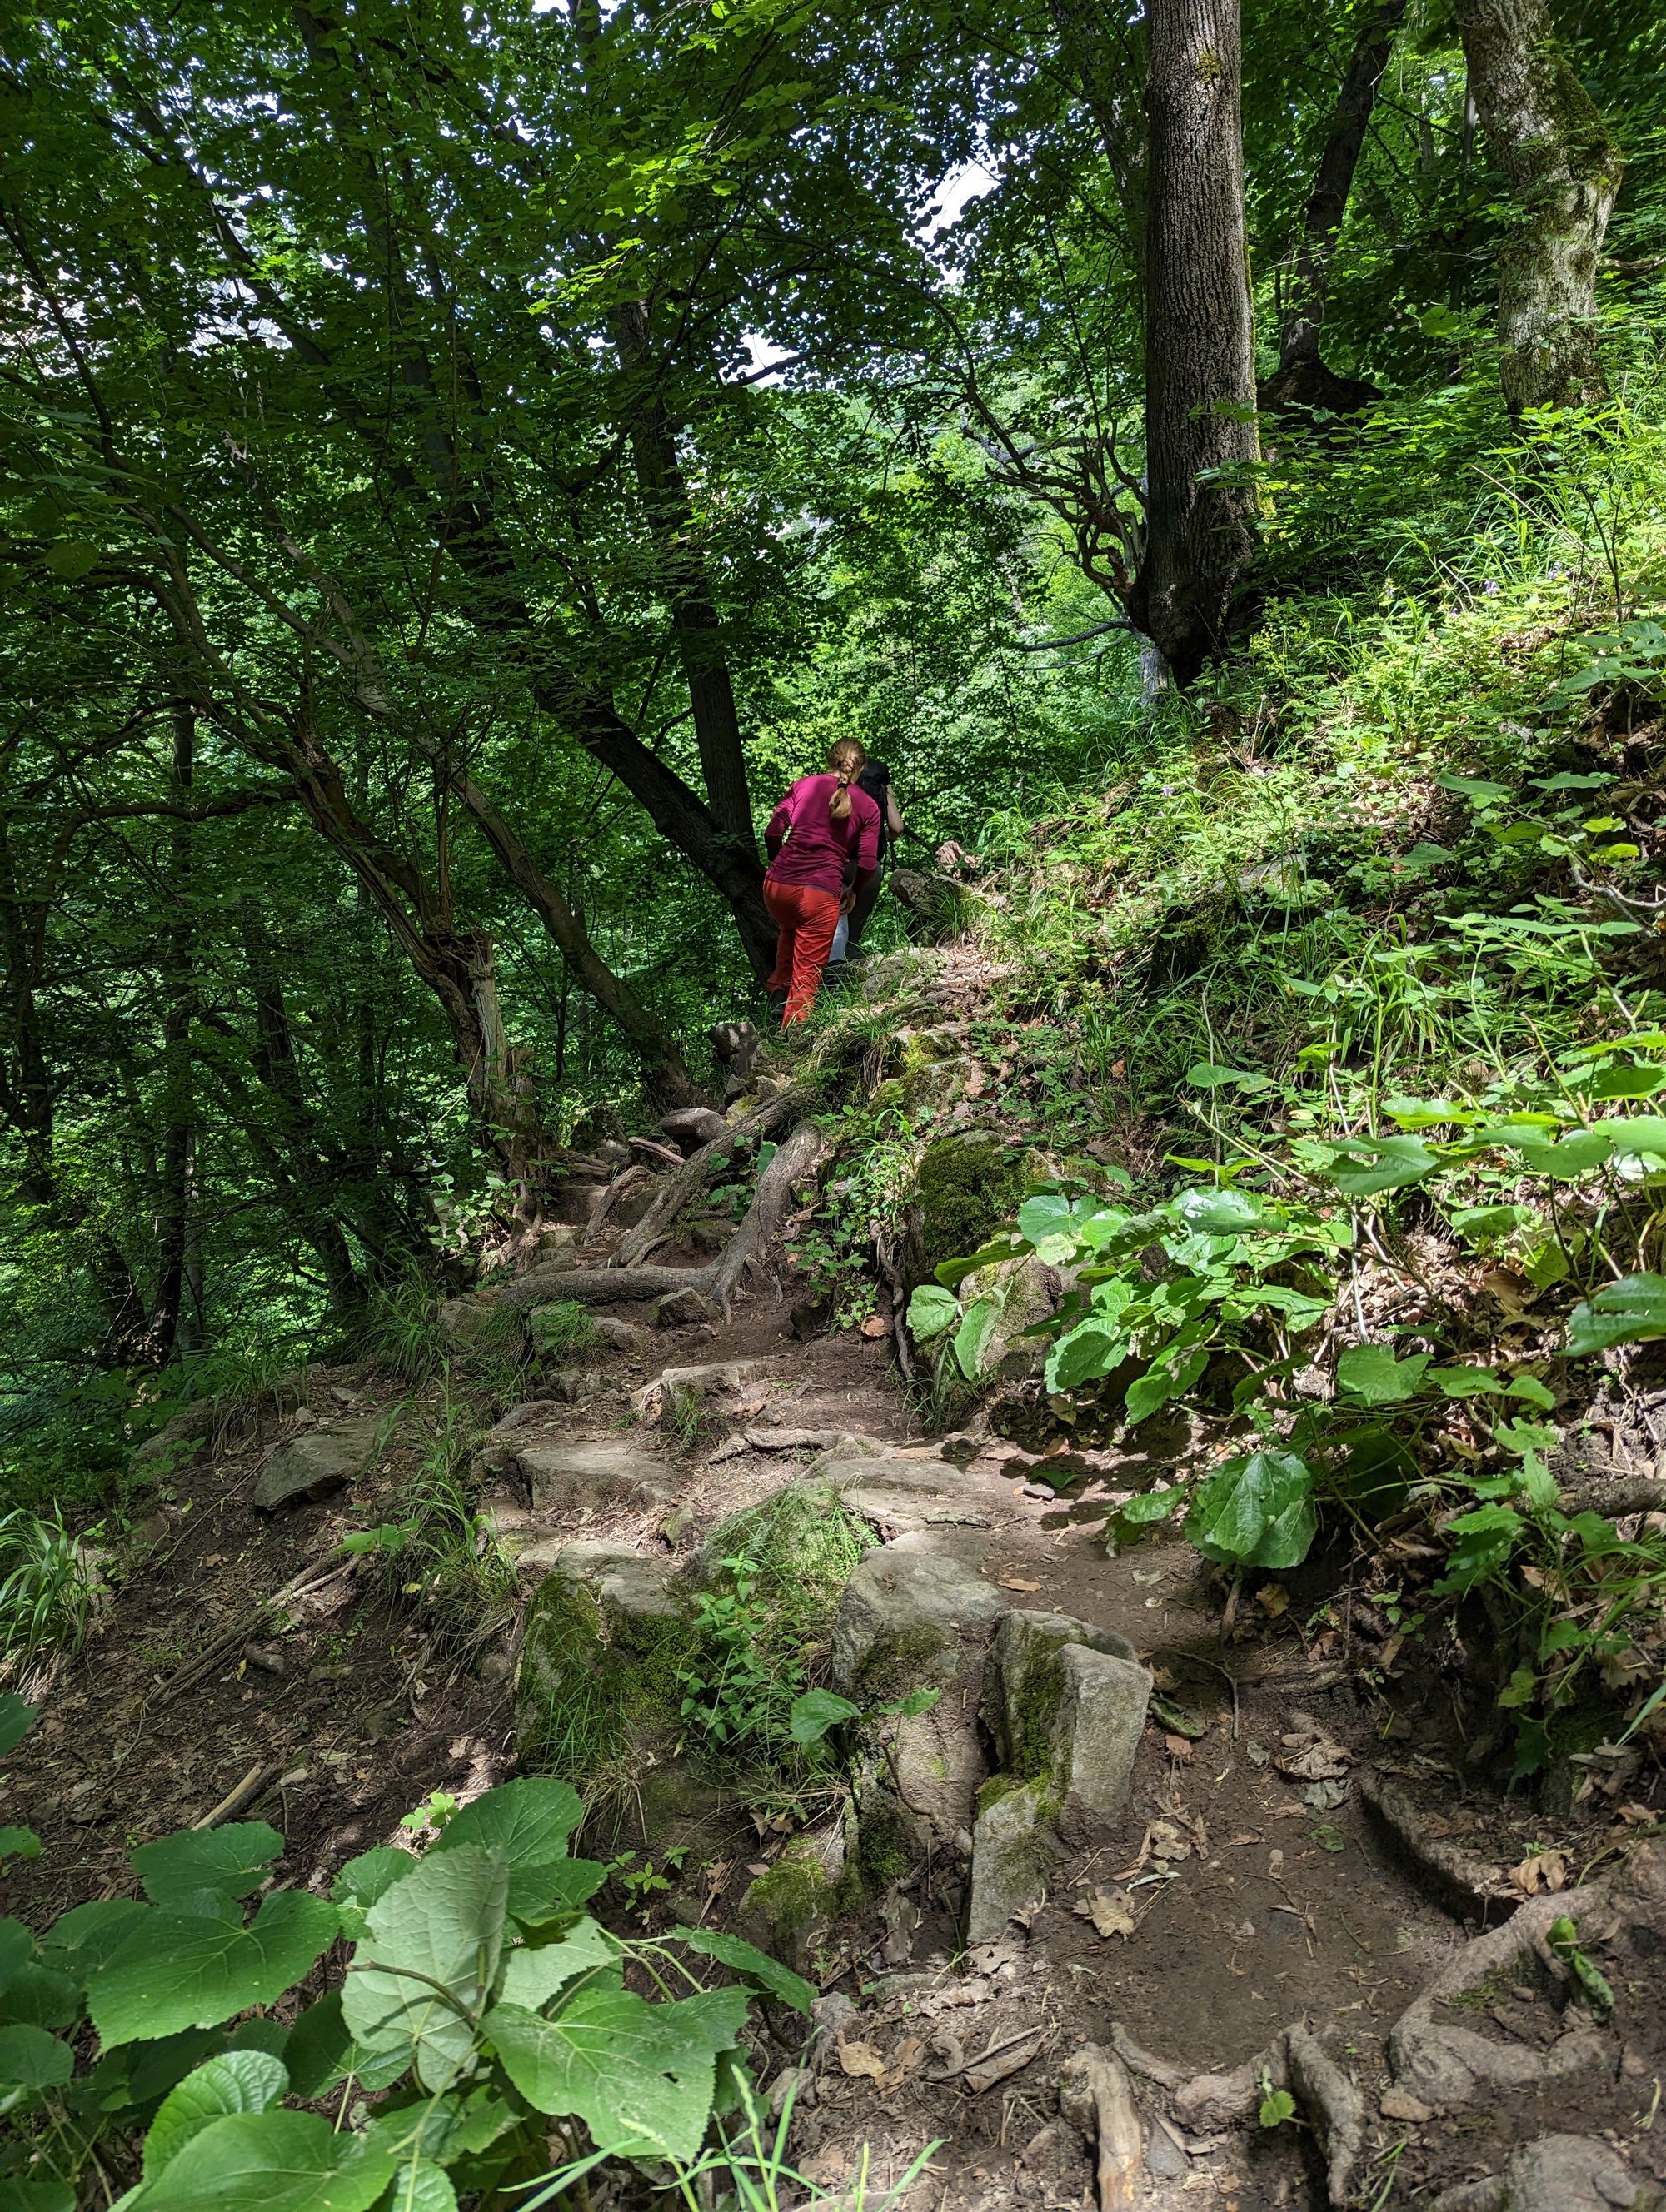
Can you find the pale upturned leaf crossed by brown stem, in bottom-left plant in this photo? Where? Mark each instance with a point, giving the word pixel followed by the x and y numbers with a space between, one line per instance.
pixel 441 1926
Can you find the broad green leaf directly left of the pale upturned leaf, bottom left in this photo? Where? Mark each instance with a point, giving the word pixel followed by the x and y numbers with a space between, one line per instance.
pixel 185 1970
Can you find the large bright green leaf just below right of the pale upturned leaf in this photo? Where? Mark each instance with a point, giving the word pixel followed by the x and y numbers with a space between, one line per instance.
pixel 641 2076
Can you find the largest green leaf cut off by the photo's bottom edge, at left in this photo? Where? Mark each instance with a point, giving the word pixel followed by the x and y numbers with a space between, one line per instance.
pixel 269 2162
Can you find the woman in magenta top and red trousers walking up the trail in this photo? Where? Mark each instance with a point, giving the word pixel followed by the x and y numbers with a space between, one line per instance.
pixel 824 853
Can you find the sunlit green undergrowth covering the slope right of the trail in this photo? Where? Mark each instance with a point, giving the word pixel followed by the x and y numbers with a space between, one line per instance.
pixel 1326 1043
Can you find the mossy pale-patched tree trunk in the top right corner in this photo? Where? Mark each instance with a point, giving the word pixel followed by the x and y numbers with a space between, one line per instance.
pixel 1563 171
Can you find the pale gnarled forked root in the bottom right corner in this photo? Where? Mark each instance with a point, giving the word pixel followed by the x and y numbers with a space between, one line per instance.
pixel 1452 2067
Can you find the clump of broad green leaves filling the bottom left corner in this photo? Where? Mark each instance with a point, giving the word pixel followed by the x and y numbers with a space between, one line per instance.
pixel 486 2038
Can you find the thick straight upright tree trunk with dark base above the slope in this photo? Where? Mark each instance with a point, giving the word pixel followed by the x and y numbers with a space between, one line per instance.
pixel 1200 340
